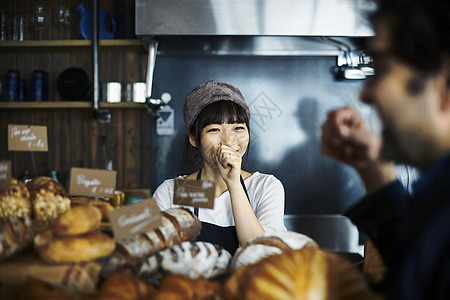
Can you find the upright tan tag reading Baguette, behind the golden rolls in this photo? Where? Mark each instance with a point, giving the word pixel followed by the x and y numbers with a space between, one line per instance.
pixel 92 182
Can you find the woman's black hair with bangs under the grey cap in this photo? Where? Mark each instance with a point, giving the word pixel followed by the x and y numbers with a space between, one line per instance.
pixel 215 113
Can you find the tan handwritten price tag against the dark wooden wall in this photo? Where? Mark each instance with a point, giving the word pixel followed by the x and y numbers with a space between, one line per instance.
pixel 27 138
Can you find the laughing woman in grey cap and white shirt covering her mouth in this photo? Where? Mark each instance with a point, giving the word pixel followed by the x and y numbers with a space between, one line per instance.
pixel 217 127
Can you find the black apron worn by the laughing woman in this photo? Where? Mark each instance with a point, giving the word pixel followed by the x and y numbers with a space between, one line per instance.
pixel 223 236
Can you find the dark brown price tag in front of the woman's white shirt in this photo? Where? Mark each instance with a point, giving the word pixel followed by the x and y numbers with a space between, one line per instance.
pixel 196 193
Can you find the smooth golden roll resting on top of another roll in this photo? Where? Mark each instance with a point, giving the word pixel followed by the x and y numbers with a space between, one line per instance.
pixel 78 220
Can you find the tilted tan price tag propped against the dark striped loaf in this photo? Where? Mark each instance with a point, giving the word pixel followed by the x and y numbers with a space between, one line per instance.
pixel 135 218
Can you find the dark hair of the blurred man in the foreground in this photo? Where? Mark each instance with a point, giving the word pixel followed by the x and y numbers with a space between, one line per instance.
pixel 418 31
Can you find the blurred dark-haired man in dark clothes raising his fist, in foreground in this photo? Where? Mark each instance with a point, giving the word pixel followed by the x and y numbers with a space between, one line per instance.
pixel 411 94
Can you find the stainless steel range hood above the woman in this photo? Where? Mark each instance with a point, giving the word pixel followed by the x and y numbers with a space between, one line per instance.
pixel 252 27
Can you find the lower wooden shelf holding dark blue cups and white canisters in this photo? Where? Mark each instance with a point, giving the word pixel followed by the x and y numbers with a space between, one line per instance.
pixel 66 104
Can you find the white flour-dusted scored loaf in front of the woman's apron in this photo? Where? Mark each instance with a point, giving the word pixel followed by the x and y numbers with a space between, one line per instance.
pixel 192 259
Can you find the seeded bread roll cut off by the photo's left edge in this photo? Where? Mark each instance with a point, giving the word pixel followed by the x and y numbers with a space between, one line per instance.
pixel 15 202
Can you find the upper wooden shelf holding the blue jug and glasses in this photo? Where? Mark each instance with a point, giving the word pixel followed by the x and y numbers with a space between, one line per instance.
pixel 133 43
